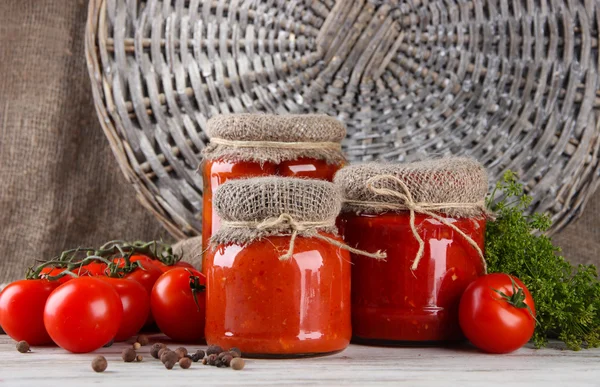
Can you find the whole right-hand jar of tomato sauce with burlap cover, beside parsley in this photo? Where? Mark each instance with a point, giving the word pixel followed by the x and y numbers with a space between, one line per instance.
pixel 413 295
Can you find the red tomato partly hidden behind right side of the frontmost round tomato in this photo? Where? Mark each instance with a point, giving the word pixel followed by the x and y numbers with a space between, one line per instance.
pixel 136 306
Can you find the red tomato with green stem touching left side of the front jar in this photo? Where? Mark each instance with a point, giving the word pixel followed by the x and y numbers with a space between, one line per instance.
pixel 178 313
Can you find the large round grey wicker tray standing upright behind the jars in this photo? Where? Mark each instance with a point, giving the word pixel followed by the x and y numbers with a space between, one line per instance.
pixel 513 83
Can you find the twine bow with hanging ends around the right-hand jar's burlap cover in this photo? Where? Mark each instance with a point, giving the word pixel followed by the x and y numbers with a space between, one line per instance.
pixel 407 203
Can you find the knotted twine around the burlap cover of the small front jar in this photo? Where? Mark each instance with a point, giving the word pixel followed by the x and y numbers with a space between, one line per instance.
pixel 296 226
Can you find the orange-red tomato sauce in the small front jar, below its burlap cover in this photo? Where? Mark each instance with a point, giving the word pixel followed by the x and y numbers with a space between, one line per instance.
pixel 272 308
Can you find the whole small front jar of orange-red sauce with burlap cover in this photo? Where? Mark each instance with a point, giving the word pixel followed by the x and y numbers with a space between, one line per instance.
pixel 278 285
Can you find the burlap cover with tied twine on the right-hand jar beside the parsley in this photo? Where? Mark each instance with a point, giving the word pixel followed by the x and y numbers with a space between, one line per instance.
pixel 455 187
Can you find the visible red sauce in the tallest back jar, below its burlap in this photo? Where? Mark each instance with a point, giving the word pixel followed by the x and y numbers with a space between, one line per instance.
pixel 217 172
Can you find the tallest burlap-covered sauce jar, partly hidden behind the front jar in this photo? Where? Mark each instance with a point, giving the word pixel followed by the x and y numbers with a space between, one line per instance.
pixel 251 145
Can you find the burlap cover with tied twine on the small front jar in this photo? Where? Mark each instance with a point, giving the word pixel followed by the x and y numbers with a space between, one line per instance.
pixel 257 208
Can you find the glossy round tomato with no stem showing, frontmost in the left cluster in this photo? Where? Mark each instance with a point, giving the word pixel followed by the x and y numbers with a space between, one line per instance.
pixel 83 314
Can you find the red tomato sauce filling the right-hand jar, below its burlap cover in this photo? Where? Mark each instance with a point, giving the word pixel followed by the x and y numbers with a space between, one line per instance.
pixel 391 304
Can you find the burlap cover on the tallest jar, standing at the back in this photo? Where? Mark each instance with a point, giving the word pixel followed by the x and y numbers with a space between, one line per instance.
pixel 274 138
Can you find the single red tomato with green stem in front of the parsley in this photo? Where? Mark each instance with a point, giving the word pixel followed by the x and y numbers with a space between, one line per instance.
pixel 497 313
